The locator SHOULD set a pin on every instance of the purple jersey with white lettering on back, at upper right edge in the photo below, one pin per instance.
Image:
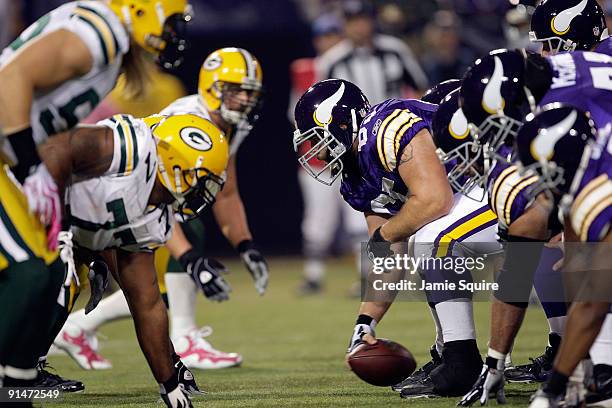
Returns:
(584, 80)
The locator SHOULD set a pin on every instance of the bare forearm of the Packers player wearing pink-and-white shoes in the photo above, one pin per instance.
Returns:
(231, 217)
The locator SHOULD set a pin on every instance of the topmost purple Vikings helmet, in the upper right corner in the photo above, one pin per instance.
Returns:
(568, 25)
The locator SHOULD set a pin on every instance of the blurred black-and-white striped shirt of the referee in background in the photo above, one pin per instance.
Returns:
(381, 71)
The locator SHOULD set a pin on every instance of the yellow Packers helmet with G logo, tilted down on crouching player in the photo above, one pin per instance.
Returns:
(192, 156)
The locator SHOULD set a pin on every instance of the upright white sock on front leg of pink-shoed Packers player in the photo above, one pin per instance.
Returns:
(182, 293)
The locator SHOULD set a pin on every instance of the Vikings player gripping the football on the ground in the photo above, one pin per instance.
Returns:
(393, 154)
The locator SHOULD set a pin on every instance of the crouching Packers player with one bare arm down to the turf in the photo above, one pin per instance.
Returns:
(160, 166)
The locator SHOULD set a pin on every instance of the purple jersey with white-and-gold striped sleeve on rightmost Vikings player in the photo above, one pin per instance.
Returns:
(590, 210)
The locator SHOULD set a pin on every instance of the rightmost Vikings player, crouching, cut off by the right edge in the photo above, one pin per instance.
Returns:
(559, 145)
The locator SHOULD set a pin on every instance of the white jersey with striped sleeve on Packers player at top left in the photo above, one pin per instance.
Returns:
(58, 109)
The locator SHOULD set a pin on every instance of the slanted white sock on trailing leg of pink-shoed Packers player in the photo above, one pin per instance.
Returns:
(112, 307)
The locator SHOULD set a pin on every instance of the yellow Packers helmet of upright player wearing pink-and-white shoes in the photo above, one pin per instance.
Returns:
(230, 82)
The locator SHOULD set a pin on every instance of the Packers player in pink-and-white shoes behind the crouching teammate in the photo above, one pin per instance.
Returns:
(229, 91)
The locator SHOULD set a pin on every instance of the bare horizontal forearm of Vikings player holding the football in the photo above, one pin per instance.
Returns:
(414, 214)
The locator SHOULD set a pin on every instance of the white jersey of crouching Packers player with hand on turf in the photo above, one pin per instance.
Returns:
(112, 211)
